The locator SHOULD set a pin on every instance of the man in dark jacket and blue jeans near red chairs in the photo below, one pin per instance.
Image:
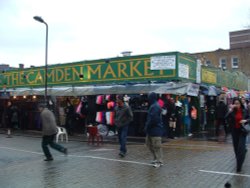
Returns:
(123, 117)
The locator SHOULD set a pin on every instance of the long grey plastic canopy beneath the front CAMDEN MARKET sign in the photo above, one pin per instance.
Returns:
(160, 88)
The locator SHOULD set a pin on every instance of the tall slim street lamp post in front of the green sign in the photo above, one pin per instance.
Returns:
(39, 19)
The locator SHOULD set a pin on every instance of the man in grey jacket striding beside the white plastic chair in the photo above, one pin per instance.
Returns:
(49, 130)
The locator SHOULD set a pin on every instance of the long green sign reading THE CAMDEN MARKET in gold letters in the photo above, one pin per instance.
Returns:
(106, 71)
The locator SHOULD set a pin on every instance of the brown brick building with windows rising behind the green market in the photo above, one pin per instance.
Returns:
(235, 58)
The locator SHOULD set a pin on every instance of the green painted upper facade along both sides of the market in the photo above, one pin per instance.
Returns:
(132, 69)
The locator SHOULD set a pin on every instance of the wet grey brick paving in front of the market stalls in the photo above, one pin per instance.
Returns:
(188, 162)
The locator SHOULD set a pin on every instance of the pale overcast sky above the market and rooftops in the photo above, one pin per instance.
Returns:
(95, 29)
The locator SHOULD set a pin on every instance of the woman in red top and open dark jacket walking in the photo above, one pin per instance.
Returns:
(236, 117)
